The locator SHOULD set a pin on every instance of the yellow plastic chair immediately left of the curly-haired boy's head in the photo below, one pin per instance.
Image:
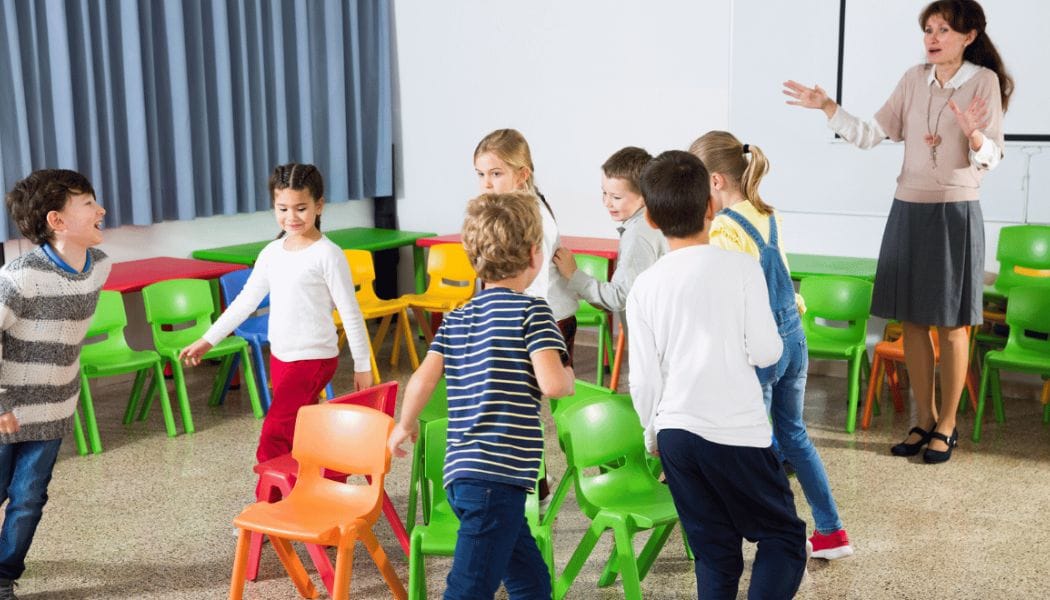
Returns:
(453, 283)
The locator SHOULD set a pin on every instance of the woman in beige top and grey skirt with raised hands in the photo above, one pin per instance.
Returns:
(949, 112)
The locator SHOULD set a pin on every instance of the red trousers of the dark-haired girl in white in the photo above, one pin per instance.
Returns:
(296, 385)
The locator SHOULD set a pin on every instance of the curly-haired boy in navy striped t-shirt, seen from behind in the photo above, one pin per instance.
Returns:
(495, 437)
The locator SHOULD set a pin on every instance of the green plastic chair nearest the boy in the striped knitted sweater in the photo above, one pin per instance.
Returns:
(111, 356)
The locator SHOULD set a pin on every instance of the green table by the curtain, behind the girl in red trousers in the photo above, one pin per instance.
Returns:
(352, 239)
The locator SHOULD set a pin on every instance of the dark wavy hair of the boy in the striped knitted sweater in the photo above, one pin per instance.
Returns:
(39, 194)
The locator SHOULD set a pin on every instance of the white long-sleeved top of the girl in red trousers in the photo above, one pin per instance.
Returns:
(304, 287)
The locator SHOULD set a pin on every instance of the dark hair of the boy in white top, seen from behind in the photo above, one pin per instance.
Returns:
(678, 191)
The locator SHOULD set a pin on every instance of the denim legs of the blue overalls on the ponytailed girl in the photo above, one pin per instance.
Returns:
(785, 399)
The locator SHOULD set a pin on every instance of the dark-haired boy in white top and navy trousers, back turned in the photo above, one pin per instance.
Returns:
(701, 323)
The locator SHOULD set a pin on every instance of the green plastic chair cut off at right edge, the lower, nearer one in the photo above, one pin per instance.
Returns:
(1027, 349)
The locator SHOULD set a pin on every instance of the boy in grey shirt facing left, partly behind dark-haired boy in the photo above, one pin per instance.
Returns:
(641, 245)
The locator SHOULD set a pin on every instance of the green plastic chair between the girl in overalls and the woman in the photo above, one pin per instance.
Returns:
(839, 299)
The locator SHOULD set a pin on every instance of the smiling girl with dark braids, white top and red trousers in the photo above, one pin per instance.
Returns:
(305, 274)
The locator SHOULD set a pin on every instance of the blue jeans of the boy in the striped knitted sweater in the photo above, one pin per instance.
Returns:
(26, 471)
